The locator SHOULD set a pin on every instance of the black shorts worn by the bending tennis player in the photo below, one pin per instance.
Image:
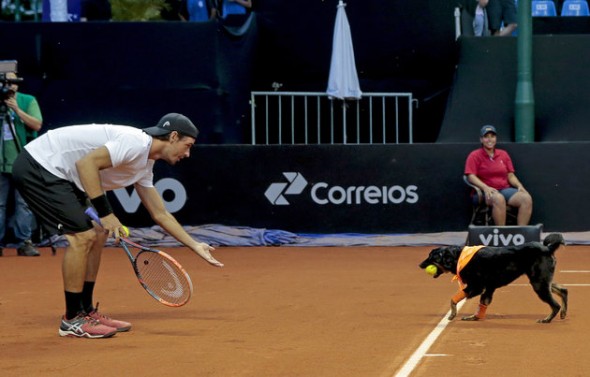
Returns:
(57, 204)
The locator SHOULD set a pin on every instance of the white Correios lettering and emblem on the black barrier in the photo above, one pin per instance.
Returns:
(323, 193)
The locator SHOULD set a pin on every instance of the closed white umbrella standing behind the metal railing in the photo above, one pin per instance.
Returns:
(343, 82)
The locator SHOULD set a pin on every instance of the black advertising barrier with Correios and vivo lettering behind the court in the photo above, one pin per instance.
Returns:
(354, 188)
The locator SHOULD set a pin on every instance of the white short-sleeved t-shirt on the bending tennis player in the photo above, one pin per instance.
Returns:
(58, 150)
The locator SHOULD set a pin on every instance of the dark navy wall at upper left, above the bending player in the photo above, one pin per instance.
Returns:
(133, 73)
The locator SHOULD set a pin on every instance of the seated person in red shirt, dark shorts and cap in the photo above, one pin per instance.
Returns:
(492, 171)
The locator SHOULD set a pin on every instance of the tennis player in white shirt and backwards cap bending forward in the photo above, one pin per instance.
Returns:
(62, 170)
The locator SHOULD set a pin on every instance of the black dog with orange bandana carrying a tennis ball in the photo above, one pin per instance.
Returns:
(490, 268)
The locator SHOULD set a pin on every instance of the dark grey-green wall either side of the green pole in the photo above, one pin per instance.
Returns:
(484, 89)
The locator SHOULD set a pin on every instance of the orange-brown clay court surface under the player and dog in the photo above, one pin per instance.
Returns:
(292, 311)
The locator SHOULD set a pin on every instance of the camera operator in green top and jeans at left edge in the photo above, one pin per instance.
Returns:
(22, 110)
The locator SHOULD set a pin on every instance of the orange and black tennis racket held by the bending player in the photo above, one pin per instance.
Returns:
(158, 273)
